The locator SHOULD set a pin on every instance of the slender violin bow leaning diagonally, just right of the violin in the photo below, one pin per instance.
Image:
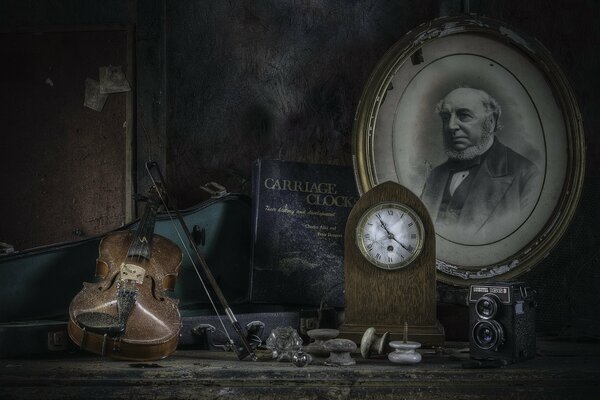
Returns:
(159, 182)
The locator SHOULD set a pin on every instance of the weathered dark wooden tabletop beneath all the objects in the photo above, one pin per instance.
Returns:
(561, 371)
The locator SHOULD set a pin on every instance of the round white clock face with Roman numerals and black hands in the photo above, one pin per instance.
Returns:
(390, 235)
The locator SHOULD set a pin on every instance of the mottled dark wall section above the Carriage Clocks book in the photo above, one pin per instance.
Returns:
(269, 79)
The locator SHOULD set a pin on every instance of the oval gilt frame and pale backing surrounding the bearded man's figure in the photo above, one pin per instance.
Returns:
(395, 132)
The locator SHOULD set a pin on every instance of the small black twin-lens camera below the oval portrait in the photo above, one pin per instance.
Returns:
(502, 322)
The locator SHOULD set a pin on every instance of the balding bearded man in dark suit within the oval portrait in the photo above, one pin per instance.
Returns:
(484, 187)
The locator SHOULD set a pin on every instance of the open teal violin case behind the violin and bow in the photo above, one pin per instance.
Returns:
(37, 286)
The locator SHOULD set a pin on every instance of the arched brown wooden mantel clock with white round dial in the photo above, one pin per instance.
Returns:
(389, 266)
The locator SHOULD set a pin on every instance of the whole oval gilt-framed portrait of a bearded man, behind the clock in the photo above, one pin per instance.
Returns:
(480, 122)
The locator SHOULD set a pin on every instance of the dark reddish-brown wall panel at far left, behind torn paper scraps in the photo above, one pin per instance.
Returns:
(62, 165)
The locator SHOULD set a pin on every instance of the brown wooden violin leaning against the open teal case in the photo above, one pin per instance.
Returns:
(126, 314)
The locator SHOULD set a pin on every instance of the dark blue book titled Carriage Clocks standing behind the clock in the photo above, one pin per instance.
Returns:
(299, 216)
